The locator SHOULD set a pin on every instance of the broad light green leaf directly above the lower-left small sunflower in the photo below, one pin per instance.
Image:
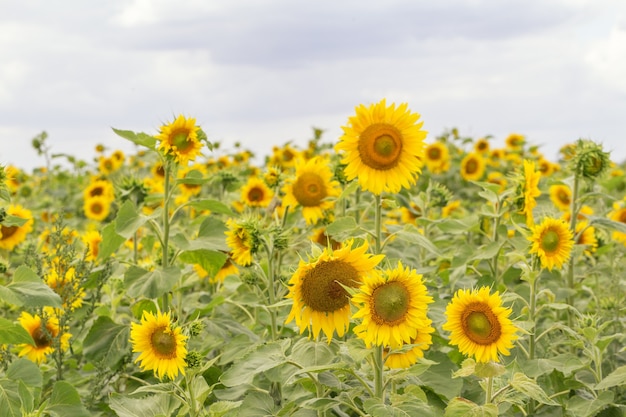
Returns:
(150, 284)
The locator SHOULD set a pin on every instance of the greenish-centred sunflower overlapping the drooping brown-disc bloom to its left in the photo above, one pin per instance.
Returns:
(393, 305)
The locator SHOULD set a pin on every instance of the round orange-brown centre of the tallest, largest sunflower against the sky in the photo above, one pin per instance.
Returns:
(380, 146)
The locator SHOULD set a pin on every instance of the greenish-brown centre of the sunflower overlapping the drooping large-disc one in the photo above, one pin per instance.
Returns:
(390, 302)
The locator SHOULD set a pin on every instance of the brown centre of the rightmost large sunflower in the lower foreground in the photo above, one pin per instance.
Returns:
(480, 325)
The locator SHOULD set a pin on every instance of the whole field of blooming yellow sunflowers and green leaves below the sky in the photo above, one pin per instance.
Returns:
(384, 273)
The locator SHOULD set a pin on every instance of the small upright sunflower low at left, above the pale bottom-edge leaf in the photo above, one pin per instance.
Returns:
(161, 346)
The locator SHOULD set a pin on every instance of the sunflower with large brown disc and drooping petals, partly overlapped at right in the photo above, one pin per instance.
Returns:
(320, 303)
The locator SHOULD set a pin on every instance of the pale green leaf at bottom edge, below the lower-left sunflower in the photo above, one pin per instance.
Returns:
(159, 405)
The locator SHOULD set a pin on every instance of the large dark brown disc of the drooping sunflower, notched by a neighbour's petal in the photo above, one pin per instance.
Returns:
(321, 286)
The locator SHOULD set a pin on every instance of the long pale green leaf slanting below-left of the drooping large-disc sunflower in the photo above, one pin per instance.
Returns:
(260, 359)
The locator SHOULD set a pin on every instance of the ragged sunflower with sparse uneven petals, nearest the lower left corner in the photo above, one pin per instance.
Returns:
(44, 333)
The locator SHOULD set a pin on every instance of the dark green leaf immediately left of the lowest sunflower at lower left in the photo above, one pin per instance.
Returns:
(107, 342)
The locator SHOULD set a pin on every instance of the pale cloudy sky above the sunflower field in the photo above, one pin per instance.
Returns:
(266, 72)
